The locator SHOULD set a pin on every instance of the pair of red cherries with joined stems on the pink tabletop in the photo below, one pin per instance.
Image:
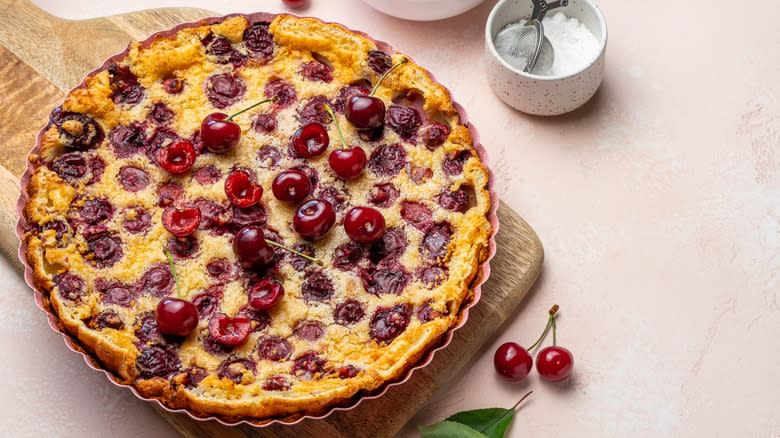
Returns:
(553, 363)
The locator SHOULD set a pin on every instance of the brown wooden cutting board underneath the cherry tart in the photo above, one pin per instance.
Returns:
(42, 57)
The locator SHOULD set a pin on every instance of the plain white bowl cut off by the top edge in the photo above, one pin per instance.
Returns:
(423, 10)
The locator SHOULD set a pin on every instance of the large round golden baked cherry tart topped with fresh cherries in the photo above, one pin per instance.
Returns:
(242, 221)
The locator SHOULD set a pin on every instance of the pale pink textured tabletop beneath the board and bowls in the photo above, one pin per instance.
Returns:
(658, 205)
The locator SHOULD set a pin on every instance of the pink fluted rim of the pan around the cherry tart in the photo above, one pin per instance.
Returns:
(72, 343)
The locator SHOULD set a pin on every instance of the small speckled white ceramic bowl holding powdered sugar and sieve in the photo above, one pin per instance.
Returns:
(544, 95)
